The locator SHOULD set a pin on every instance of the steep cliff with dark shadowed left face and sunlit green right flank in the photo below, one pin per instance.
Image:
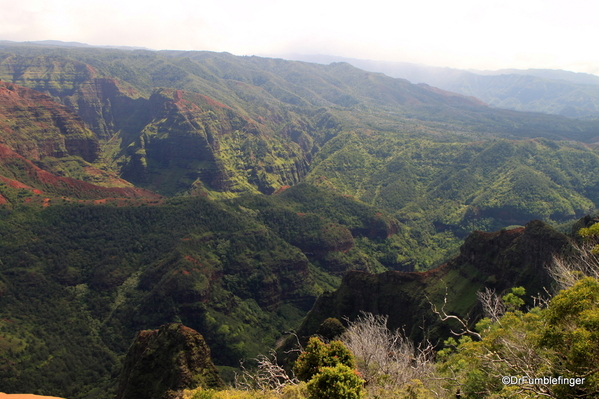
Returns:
(194, 143)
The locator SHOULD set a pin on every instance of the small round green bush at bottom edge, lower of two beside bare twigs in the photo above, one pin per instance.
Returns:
(339, 382)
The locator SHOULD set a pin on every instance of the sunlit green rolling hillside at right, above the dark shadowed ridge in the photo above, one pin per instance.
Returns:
(442, 191)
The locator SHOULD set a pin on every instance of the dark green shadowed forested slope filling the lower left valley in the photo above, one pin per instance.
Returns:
(78, 281)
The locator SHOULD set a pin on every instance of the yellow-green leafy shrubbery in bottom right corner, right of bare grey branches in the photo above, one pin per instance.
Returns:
(530, 348)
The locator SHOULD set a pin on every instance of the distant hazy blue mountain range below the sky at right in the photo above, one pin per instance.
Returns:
(570, 94)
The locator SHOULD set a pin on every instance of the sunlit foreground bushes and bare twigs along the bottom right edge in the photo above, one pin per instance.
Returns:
(544, 351)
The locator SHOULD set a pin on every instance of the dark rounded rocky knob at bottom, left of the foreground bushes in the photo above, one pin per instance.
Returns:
(163, 361)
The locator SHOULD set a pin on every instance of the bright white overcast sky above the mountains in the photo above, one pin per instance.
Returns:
(477, 34)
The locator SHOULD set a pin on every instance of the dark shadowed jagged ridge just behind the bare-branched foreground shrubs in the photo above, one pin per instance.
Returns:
(498, 261)
